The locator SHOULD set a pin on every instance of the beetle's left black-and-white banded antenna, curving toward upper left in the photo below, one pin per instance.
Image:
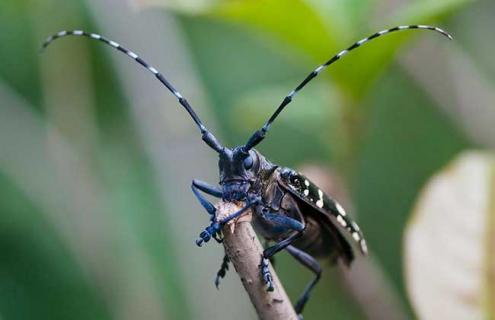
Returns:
(207, 136)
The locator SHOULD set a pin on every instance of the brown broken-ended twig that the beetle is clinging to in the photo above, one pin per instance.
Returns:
(244, 250)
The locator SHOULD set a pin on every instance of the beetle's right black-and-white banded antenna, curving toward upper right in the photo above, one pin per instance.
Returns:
(259, 135)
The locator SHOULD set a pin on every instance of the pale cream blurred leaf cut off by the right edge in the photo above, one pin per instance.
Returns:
(449, 242)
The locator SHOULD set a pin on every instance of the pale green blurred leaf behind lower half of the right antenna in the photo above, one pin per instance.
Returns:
(309, 119)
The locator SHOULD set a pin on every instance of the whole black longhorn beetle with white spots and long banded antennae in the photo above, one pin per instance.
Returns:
(287, 207)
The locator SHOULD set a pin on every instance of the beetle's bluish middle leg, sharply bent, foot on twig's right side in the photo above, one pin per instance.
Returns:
(284, 224)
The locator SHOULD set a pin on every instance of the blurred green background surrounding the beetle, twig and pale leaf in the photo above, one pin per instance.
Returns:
(97, 220)
